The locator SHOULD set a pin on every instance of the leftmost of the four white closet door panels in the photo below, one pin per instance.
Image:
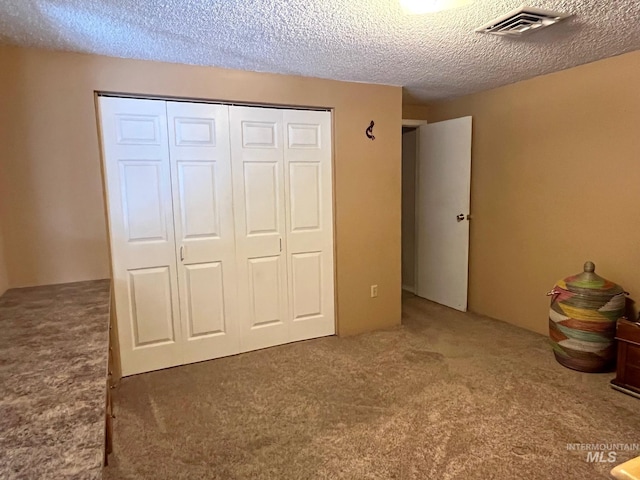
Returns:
(136, 153)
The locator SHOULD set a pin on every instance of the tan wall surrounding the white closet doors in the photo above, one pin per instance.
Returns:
(53, 208)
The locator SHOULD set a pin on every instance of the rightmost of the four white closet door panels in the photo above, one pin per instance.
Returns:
(307, 142)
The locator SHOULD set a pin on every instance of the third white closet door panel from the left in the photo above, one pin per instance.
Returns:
(258, 189)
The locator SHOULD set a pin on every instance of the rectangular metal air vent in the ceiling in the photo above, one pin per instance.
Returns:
(522, 21)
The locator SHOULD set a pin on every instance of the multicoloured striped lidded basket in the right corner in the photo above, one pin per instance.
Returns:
(582, 320)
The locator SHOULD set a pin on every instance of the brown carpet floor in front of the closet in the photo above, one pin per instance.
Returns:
(446, 395)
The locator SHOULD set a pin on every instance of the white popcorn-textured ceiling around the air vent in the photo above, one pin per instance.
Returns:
(434, 56)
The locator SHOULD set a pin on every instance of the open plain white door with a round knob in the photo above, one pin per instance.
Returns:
(442, 212)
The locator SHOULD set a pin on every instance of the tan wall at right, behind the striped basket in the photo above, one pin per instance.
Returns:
(555, 182)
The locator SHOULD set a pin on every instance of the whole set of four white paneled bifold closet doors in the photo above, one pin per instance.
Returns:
(221, 228)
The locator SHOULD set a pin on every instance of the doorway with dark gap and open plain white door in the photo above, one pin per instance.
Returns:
(436, 182)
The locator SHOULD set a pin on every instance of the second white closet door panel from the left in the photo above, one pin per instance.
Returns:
(203, 212)
